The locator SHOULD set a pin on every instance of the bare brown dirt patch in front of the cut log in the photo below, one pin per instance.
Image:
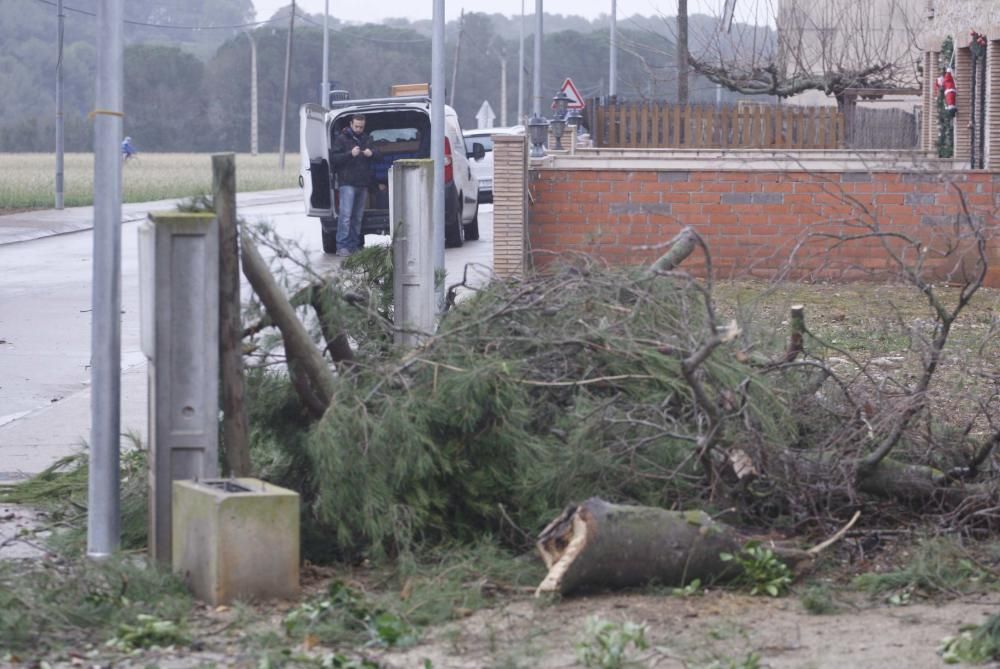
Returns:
(720, 627)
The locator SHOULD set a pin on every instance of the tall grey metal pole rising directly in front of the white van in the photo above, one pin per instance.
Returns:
(437, 140)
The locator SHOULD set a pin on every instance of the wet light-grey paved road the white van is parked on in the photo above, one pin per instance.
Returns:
(45, 298)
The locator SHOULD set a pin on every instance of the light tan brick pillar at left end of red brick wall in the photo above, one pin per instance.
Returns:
(510, 204)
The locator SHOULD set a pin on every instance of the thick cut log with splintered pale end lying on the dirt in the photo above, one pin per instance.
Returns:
(603, 545)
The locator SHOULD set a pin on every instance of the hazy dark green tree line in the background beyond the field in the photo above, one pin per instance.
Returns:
(189, 90)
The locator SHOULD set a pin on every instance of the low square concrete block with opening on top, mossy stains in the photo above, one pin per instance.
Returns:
(236, 539)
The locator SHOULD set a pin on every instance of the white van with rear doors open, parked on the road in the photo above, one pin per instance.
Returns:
(400, 127)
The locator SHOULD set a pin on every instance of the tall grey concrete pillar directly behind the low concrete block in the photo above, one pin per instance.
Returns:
(179, 305)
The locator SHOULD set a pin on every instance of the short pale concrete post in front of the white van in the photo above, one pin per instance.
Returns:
(411, 198)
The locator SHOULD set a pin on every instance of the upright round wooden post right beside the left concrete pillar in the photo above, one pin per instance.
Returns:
(235, 429)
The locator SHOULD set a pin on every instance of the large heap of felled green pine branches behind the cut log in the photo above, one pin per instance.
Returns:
(533, 393)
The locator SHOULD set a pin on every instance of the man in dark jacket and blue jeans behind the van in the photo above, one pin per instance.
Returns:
(352, 157)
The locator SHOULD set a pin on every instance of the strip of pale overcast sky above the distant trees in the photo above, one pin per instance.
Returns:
(376, 10)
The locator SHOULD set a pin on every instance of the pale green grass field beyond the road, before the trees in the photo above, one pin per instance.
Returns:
(28, 179)
